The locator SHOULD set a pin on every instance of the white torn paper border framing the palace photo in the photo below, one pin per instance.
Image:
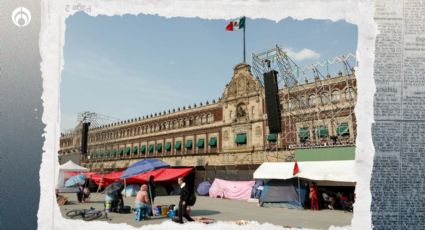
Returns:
(52, 40)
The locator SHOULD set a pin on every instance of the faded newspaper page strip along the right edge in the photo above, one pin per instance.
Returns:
(397, 183)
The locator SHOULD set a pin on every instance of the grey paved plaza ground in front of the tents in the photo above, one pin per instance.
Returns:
(224, 210)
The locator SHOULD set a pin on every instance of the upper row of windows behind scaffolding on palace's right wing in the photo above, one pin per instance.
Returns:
(325, 98)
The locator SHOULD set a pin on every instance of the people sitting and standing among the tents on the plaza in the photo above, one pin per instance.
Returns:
(316, 198)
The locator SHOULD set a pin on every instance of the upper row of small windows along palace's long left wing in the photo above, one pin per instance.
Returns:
(152, 128)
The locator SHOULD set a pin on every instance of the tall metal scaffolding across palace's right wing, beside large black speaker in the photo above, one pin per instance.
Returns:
(310, 98)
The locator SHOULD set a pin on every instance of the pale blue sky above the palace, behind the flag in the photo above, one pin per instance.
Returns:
(129, 66)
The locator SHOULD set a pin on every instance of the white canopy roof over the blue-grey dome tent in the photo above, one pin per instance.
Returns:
(338, 171)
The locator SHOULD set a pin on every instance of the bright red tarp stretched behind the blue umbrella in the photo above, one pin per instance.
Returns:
(160, 175)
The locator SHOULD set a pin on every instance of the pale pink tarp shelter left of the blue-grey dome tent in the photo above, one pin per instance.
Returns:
(235, 190)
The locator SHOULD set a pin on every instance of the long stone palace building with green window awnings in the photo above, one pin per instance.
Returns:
(229, 133)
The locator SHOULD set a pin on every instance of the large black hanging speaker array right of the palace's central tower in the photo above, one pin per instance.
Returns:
(272, 101)
